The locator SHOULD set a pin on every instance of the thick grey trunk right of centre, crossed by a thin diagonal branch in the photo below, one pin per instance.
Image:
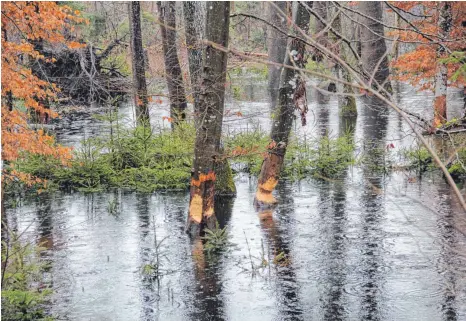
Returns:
(373, 47)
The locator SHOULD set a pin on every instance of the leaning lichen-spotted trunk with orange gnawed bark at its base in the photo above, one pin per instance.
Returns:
(292, 94)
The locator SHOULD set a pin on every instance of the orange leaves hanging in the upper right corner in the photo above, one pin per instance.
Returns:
(418, 66)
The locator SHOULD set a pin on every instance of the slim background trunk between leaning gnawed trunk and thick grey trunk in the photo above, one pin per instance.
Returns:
(346, 104)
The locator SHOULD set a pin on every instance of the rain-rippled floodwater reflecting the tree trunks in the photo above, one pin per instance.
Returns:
(368, 247)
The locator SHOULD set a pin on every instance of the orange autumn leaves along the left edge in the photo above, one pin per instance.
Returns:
(24, 23)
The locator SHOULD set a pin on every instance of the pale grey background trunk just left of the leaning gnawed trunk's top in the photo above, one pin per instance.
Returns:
(276, 44)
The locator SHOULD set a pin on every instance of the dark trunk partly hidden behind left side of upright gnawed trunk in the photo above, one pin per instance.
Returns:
(194, 33)
